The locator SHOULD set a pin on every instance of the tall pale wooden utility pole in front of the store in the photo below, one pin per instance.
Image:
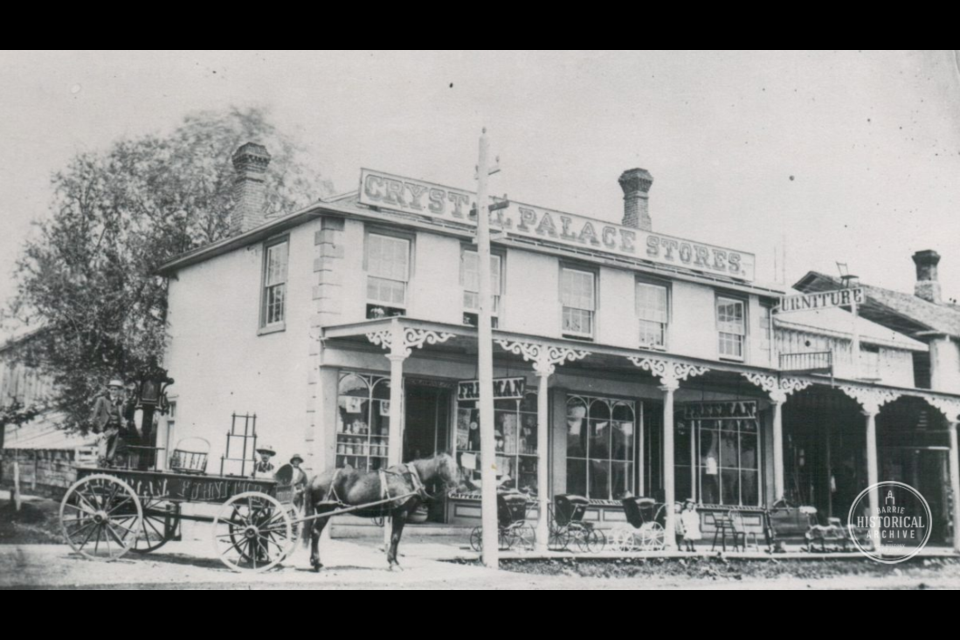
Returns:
(488, 454)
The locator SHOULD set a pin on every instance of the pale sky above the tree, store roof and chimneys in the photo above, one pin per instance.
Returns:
(849, 156)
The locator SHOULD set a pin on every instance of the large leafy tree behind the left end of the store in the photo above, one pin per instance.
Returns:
(89, 273)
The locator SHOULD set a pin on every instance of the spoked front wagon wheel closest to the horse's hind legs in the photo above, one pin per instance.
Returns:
(253, 532)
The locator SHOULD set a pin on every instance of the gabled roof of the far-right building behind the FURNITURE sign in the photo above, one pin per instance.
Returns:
(901, 312)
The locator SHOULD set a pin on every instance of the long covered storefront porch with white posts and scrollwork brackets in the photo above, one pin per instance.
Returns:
(589, 419)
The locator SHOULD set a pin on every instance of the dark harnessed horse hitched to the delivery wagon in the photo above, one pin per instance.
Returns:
(346, 487)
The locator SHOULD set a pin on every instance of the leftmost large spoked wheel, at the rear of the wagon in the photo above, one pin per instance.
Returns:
(100, 517)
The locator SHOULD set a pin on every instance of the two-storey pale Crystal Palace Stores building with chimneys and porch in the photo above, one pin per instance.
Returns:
(338, 322)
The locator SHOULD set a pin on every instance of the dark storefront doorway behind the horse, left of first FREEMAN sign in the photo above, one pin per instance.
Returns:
(427, 430)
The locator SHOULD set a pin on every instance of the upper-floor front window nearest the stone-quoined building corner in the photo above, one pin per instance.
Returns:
(388, 273)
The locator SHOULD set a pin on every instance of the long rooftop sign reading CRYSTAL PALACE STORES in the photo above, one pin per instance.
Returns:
(417, 197)
